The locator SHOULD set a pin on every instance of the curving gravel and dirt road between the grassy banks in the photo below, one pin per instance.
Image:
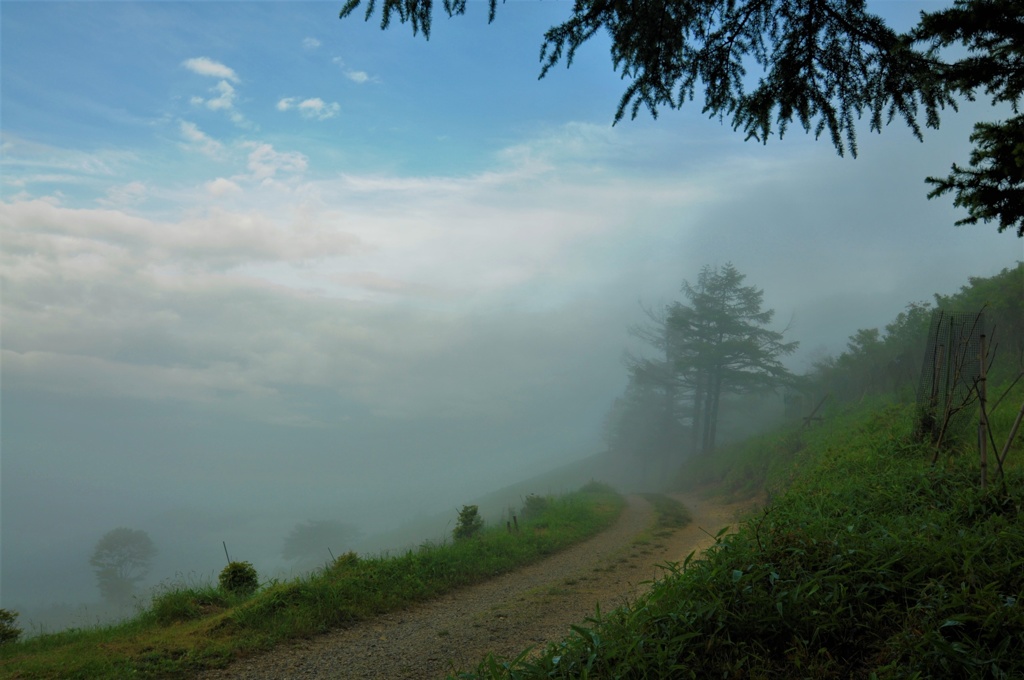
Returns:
(505, 616)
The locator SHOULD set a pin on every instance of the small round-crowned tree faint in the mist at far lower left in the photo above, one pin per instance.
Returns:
(122, 560)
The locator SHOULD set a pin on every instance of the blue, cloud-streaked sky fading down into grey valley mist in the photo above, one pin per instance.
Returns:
(262, 266)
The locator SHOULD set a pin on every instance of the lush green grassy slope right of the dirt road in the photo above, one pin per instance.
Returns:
(873, 565)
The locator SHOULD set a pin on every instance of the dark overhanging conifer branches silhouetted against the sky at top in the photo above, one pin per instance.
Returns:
(823, 66)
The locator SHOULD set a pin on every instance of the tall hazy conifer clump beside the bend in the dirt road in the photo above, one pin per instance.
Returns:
(717, 345)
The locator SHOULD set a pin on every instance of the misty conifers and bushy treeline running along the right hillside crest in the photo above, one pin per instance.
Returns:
(716, 367)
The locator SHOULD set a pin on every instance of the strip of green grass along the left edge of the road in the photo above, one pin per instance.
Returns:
(187, 629)
